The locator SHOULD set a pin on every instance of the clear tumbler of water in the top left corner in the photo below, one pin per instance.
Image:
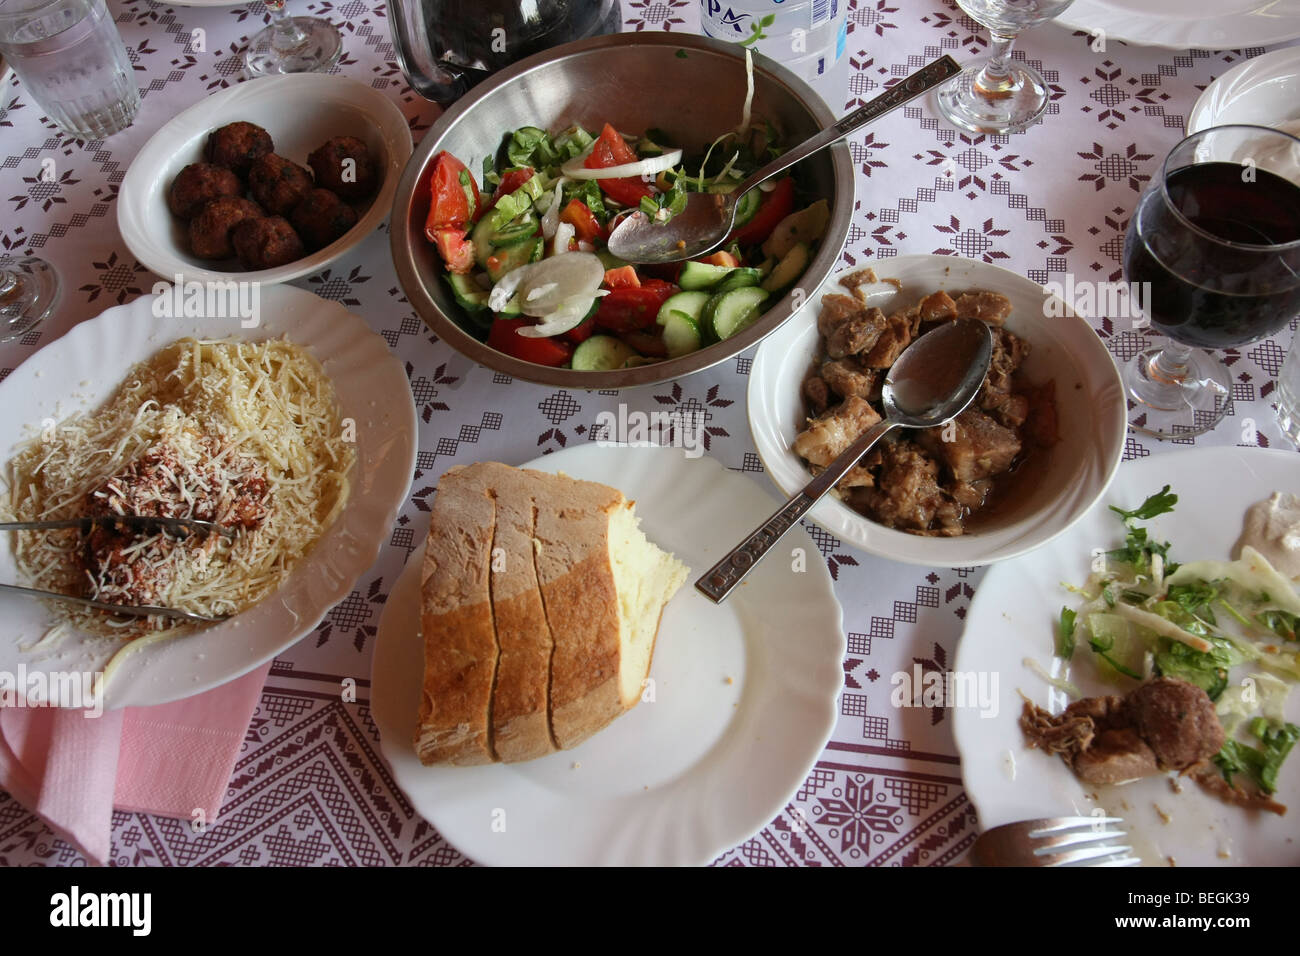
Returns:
(71, 59)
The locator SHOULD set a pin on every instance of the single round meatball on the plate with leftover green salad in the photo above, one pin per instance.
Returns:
(1178, 721)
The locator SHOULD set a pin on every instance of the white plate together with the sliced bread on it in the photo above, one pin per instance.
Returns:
(532, 630)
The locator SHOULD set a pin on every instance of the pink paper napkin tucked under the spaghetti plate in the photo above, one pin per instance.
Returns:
(170, 760)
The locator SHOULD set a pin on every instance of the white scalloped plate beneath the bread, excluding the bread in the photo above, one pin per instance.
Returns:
(675, 781)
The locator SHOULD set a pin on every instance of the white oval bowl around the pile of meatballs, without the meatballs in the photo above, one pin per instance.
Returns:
(301, 113)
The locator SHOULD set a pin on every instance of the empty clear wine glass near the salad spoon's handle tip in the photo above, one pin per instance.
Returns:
(999, 96)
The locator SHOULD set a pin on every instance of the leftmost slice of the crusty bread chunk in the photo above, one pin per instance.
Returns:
(460, 635)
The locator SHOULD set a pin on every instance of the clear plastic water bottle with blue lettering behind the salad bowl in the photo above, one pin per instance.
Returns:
(808, 37)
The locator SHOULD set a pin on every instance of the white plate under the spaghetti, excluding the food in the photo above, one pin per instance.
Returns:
(84, 367)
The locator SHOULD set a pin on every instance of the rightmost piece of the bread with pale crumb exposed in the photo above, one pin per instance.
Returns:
(604, 589)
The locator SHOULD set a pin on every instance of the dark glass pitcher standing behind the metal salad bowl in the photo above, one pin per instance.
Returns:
(448, 46)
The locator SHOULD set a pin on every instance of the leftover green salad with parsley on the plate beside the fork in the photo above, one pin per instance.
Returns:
(1146, 616)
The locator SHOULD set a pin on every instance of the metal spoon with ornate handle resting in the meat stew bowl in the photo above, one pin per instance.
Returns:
(933, 382)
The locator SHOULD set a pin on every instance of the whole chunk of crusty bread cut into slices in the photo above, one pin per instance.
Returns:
(541, 604)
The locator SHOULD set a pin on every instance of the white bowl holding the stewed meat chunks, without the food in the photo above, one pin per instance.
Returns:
(1090, 401)
